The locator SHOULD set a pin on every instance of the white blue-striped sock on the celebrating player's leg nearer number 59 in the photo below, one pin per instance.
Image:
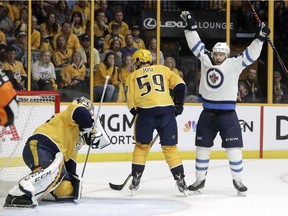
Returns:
(202, 162)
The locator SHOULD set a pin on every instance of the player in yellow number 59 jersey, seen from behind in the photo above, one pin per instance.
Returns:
(149, 100)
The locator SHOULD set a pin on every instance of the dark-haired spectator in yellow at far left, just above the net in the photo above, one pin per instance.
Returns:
(16, 67)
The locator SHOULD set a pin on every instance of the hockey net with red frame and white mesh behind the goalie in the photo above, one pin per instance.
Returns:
(35, 107)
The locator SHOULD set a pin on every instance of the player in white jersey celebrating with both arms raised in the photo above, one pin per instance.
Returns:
(218, 92)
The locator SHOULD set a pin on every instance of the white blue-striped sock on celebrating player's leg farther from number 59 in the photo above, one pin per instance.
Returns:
(235, 162)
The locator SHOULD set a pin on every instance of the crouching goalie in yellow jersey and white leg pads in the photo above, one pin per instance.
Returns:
(51, 153)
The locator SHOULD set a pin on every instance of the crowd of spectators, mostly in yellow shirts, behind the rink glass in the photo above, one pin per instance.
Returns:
(60, 45)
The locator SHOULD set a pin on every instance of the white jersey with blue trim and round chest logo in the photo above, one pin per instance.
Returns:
(219, 83)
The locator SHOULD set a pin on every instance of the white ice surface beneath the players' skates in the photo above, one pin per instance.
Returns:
(266, 179)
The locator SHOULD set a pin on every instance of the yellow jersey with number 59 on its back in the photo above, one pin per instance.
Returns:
(149, 87)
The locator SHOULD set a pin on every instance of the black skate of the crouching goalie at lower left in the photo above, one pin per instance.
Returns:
(19, 201)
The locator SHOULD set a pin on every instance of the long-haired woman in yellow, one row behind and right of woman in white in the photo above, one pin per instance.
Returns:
(61, 55)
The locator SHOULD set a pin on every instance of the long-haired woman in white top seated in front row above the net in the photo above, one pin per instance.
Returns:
(43, 73)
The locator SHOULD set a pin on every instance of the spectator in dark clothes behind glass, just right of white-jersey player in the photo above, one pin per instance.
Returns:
(253, 86)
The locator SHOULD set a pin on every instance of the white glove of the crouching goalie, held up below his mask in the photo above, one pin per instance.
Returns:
(96, 136)
